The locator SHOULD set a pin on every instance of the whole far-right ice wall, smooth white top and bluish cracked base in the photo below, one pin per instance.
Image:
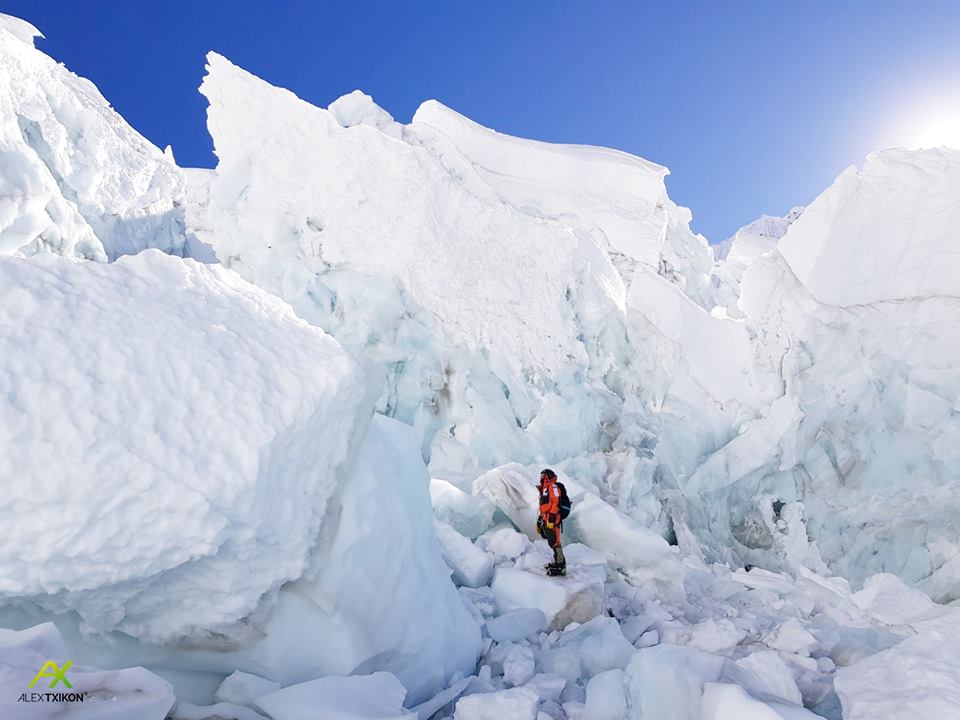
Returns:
(855, 316)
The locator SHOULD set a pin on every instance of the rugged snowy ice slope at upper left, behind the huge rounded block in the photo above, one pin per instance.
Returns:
(75, 178)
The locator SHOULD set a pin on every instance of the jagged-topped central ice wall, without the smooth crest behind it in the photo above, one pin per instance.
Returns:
(497, 330)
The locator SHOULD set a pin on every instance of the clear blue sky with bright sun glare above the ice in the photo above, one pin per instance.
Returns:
(754, 106)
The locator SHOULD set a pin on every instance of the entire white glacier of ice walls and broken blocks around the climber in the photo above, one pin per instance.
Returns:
(274, 427)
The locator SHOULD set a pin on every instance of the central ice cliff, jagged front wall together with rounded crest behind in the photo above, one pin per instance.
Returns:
(488, 274)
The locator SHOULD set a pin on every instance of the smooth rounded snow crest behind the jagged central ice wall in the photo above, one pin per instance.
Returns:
(616, 199)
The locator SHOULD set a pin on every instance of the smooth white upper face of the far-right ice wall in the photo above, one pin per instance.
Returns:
(885, 233)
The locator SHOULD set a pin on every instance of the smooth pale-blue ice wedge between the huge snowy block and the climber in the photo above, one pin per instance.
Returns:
(376, 596)
